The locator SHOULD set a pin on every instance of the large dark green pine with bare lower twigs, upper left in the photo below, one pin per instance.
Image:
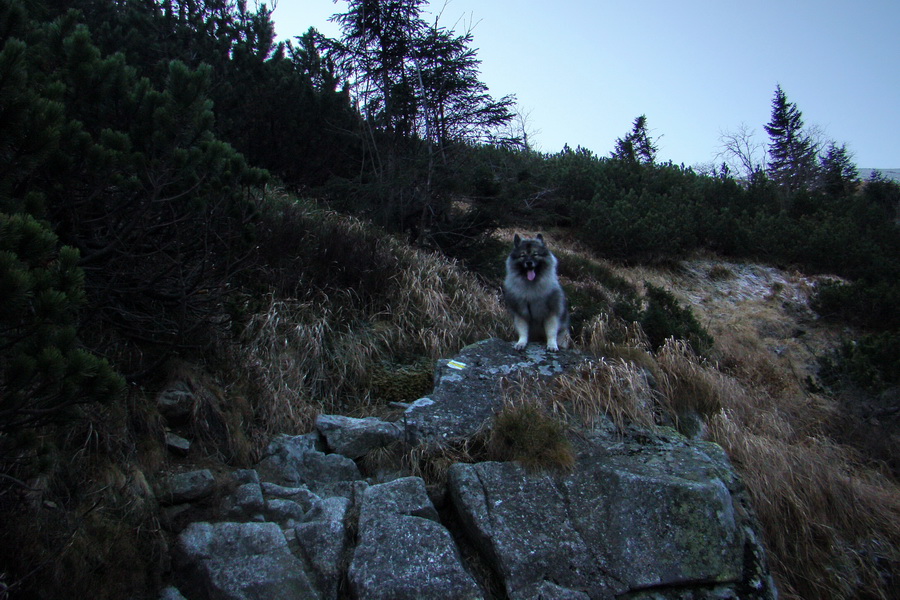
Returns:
(129, 172)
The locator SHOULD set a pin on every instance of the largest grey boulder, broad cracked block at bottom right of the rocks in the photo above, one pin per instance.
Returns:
(629, 517)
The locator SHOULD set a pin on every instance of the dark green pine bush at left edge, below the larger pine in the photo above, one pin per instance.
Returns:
(44, 373)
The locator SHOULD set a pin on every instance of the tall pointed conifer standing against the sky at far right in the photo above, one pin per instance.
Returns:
(792, 155)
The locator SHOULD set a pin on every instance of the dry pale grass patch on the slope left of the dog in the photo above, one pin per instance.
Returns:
(318, 352)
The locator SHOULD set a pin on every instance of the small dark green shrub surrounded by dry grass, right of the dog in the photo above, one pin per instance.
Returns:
(664, 317)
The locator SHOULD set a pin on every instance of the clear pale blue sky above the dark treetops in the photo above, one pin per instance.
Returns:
(584, 69)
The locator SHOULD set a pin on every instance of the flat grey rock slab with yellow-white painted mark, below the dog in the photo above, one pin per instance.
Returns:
(466, 389)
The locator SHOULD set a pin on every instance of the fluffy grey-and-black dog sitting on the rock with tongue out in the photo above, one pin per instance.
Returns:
(533, 296)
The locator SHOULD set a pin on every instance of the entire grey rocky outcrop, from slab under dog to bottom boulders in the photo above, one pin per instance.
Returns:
(642, 514)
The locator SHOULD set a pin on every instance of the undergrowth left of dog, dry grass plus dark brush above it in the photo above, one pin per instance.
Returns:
(346, 302)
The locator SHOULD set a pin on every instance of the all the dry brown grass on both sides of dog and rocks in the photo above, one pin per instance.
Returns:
(832, 526)
